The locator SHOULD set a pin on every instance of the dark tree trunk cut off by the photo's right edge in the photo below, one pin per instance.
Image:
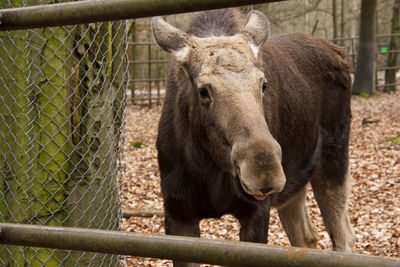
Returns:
(393, 57)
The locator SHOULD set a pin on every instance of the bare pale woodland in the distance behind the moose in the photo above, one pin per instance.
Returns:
(334, 20)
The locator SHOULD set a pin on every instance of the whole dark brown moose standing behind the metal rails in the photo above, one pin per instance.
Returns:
(305, 124)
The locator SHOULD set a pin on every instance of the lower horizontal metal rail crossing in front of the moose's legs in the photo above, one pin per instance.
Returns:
(189, 249)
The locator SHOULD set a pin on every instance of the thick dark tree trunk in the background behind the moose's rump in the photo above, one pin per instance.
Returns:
(364, 80)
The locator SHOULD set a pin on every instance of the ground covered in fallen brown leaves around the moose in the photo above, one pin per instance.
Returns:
(374, 205)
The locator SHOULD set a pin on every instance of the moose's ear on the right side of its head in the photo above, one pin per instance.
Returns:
(256, 28)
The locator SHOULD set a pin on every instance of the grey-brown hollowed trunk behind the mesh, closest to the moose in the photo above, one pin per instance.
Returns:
(96, 126)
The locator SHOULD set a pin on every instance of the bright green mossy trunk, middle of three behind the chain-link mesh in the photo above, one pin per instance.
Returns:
(53, 132)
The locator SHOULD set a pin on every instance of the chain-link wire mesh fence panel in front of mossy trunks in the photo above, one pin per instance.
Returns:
(62, 101)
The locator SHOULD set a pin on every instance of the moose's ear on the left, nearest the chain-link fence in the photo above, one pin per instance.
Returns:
(170, 39)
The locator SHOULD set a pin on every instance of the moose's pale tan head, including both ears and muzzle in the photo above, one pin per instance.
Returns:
(225, 67)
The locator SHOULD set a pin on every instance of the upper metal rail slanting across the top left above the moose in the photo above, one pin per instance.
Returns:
(70, 13)
